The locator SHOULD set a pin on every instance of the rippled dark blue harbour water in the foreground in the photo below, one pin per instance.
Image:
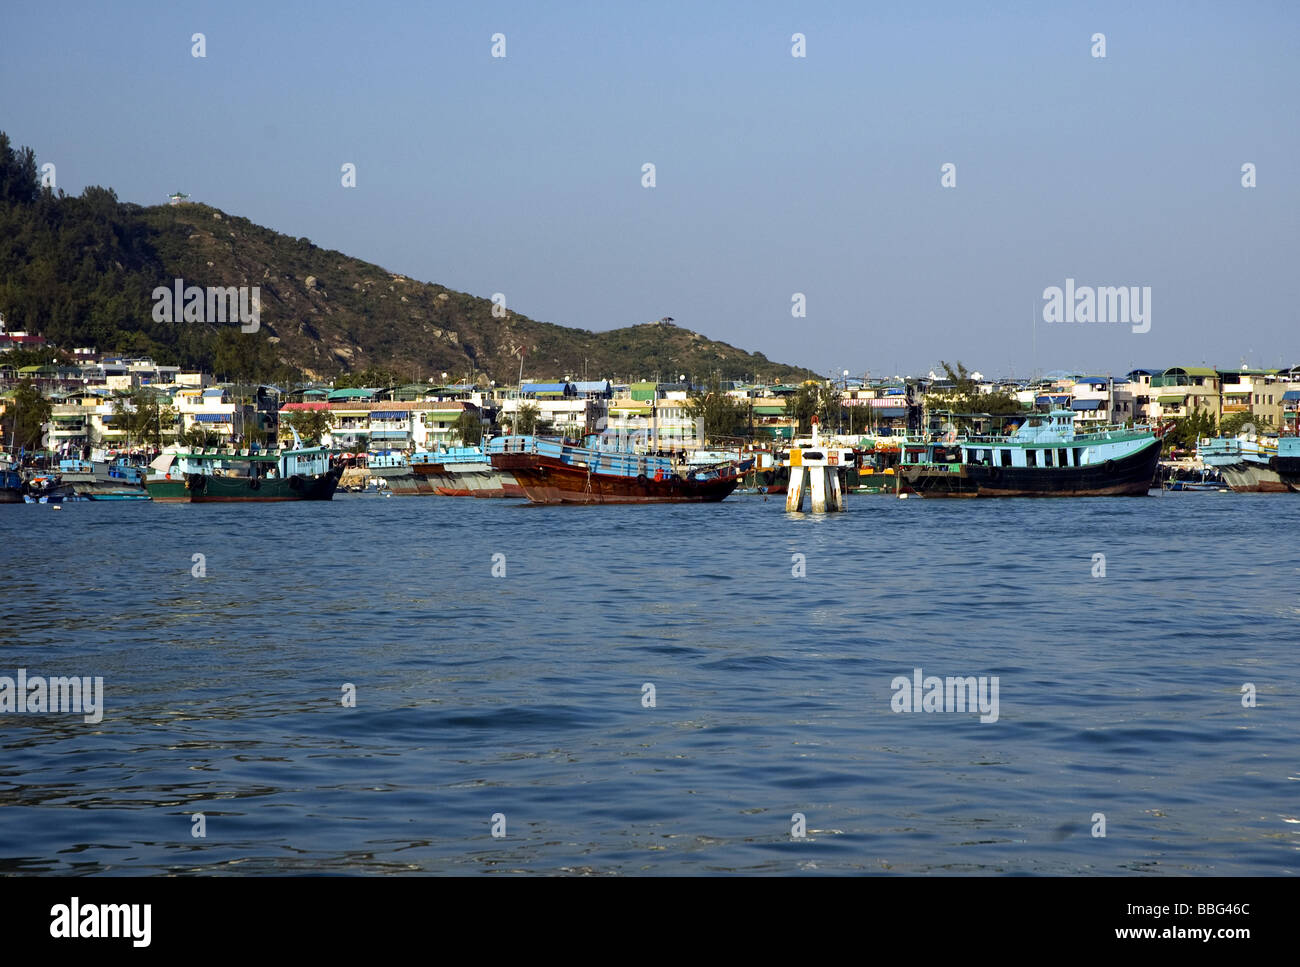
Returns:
(522, 696)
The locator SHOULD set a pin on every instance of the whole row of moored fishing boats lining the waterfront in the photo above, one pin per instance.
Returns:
(1046, 456)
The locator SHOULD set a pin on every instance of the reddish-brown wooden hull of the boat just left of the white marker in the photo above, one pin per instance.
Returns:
(551, 482)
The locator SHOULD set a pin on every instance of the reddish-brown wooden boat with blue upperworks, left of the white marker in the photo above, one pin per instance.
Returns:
(556, 472)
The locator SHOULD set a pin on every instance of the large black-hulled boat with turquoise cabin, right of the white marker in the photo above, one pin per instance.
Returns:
(1045, 457)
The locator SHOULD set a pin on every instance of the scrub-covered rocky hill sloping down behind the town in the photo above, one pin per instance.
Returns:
(83, 270)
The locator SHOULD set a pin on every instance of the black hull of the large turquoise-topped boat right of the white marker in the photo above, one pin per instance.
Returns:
(1129, 476)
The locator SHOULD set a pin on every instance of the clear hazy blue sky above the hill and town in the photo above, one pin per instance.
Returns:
(774, 175)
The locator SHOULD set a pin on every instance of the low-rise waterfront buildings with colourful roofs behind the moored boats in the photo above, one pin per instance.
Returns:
(92, 397)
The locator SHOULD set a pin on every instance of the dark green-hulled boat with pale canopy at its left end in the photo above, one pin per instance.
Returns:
(244, 476)
